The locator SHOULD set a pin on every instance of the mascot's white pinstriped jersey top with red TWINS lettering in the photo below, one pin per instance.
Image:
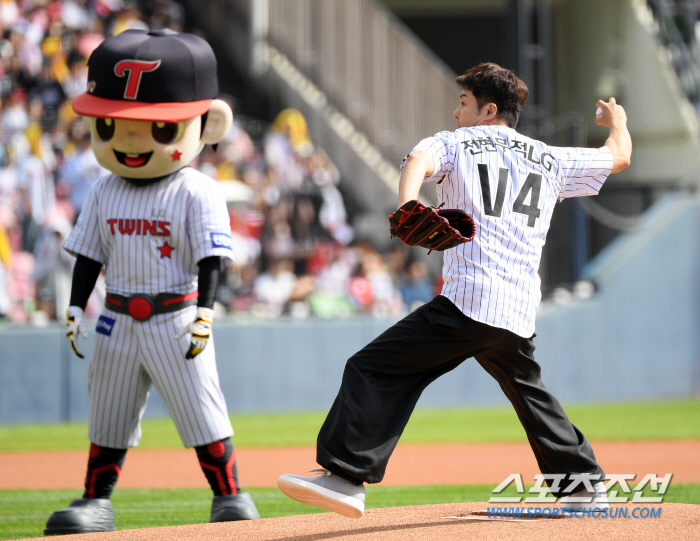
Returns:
(150, 238)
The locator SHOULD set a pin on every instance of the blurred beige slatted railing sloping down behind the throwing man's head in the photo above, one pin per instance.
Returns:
(393, 88)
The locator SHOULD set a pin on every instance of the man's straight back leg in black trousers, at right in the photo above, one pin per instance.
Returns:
(559, 447)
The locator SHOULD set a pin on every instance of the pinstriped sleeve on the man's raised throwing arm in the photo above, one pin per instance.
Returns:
(582, 171)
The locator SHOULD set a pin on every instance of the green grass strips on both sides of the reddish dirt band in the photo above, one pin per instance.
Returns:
(23, 513)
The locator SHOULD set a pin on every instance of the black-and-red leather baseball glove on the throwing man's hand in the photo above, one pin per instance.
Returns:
(430, 227)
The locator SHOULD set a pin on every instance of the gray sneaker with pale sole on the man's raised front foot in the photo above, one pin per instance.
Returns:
(327, 491)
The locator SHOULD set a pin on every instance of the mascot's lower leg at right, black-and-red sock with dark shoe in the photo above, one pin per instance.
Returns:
(218, 462)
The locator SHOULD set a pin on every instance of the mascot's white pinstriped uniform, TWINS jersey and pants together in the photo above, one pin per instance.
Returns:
(150, 239)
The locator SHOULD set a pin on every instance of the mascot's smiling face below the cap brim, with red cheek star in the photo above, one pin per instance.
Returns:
(143, 149)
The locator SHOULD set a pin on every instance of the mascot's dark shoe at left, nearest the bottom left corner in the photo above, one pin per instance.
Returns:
(82, 516)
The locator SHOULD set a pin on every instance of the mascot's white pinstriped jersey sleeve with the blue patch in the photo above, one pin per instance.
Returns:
(210, 229)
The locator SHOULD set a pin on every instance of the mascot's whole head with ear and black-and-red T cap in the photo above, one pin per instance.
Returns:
(145, 97)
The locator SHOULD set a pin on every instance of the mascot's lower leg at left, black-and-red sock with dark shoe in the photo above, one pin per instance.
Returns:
(93, 512)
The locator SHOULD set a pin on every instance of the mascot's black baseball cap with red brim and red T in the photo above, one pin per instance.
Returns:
(156, 75)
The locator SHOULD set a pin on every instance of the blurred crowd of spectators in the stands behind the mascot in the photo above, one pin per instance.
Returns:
(295, 252)
